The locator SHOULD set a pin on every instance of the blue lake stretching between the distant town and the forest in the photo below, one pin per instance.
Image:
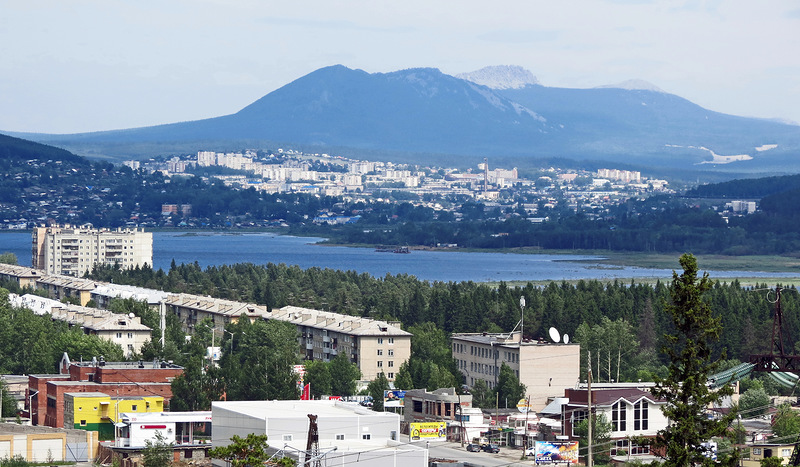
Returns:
(213, 249)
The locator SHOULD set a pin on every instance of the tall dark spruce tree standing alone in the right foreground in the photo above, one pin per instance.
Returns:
(685, 388)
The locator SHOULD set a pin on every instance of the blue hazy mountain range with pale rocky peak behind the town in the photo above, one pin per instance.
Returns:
(498, 112)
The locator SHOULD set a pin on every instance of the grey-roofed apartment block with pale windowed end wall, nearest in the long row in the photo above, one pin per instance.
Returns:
(375, 346)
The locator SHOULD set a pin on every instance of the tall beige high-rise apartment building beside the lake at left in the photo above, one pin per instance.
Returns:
(73, 251)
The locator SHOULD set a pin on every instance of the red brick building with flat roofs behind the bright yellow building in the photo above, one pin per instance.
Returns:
(120, 379)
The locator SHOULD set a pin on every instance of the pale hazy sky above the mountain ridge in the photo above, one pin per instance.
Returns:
(86, 65)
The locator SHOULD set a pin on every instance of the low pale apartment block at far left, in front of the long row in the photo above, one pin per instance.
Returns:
(127, 331)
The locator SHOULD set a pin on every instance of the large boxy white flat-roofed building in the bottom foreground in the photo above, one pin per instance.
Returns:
(348, 433)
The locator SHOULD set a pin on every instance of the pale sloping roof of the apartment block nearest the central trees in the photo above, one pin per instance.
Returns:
(336, 322)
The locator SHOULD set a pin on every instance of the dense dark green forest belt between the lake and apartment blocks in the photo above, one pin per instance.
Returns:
(625, 318)
